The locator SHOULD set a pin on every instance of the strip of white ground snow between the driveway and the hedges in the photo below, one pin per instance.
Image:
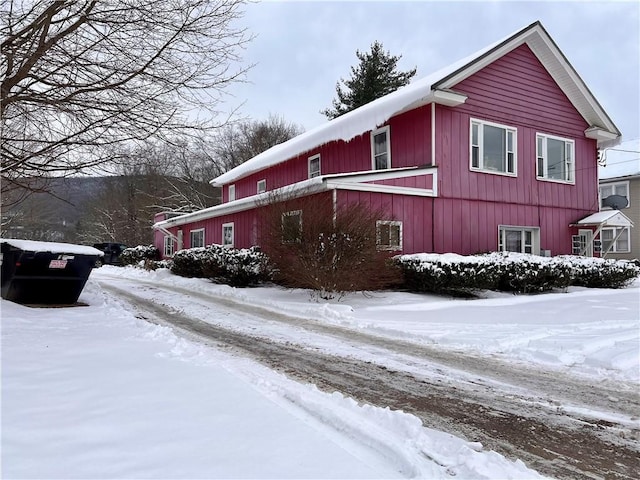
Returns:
(593, 332)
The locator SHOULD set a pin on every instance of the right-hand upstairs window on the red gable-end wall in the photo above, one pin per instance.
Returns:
(555, 158)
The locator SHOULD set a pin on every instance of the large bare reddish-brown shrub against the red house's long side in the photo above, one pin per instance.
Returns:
(328, 249)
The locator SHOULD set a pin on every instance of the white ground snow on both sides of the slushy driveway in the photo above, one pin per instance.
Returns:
(93, 392)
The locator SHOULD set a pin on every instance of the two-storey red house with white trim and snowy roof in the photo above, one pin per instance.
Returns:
(495, 152)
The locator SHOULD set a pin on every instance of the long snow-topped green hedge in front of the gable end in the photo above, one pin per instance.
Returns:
(510, 272)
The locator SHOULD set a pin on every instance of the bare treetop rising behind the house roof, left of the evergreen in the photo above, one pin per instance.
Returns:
(238, 142)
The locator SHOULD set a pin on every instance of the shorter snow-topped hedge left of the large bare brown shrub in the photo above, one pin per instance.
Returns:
(235, 267)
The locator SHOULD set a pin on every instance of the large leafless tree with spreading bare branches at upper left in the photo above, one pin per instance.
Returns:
(82, 77)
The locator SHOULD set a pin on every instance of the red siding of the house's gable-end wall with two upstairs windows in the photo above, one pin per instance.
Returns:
(515, 91)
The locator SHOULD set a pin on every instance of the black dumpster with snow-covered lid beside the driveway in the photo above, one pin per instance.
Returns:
(44, 272)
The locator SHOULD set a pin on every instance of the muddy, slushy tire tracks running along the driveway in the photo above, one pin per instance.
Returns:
(546, 439)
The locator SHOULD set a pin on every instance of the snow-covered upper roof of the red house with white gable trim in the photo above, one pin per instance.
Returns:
(435, 88)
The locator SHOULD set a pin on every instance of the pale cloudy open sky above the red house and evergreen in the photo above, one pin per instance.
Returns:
(303, 48)
